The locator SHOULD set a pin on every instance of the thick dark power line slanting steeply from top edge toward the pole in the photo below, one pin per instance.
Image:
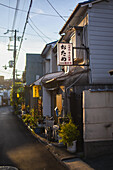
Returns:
(25, 27)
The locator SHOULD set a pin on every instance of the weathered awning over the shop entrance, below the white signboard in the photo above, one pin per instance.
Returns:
(53, 80)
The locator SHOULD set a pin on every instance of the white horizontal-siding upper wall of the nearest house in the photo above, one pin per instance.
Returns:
(101, 41)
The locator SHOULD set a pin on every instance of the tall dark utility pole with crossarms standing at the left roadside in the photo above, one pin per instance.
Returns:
(14, 56)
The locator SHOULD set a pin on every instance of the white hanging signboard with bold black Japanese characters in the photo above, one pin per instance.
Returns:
(64, 54)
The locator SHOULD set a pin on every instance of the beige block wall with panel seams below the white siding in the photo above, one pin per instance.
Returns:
(97, 116)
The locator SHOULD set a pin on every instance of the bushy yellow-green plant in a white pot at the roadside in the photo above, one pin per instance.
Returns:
(69, 134)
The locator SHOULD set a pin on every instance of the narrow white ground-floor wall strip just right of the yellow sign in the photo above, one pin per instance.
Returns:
(46, 103)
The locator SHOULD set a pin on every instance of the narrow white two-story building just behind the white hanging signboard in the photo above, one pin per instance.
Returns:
(50, 71)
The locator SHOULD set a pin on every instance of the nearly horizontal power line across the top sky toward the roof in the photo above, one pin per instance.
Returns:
(50, 15)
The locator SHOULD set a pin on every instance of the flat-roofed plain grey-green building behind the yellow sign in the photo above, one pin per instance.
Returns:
(34, 71)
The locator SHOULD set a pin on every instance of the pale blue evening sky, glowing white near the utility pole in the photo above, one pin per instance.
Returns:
(43, 27)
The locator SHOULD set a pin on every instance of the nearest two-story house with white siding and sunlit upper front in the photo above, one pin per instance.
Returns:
(90, 30)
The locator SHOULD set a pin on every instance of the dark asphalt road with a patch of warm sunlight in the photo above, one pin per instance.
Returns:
(20, 149)
